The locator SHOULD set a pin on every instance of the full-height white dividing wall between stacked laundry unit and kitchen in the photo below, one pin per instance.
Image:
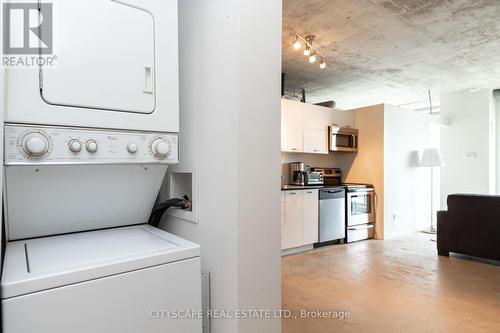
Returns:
(230, 54)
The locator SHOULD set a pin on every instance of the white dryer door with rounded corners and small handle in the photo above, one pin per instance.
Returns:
(105, 57)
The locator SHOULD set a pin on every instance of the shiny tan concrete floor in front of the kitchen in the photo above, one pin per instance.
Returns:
(398, 285)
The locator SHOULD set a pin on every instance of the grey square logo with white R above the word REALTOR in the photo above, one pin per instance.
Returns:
(27, 28)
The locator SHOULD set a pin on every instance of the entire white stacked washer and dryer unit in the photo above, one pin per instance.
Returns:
(87, 144)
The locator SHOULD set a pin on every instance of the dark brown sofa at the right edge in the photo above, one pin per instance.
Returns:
(471, 226)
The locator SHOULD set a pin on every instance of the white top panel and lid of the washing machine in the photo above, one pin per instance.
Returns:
(44, 263)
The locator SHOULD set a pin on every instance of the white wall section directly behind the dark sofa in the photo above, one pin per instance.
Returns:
(467, 144)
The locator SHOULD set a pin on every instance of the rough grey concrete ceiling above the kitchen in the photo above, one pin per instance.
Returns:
(392, 51)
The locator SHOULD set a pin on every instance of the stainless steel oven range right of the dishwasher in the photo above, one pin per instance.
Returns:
(360, 212)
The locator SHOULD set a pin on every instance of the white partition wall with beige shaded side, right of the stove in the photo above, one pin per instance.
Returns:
(390, 139)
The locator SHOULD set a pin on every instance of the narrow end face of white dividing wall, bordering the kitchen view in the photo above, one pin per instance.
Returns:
(259, 218)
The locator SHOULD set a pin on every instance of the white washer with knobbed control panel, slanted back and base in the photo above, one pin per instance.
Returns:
(79, 256)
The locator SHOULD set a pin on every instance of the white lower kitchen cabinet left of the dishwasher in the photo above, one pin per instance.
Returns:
(299, 220)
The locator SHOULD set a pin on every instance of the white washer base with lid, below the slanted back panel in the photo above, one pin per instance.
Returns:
(114, 281)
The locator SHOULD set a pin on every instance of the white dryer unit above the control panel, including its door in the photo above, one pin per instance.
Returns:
(116, 66)
